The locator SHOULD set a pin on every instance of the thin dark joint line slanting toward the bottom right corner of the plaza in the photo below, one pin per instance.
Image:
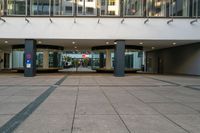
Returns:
(159, 112)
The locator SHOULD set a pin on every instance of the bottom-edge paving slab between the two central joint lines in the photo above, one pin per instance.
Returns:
(98, 124)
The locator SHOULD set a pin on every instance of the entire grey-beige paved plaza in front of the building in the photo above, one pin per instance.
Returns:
(99, 103)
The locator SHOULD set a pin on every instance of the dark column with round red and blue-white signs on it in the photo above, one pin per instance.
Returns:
(30, 58)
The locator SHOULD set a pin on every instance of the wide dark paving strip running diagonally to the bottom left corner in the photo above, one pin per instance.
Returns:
(16, 120)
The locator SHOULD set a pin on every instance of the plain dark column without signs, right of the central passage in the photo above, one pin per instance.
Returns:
(119, 64)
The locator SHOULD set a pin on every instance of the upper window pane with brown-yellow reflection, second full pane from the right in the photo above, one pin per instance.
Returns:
(156, 8)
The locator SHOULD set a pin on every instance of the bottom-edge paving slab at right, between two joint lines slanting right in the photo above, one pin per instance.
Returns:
(150, 124)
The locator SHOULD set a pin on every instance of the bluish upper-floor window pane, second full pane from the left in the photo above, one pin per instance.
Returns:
(40, 7)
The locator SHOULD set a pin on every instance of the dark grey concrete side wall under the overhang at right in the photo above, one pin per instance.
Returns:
(177, 60)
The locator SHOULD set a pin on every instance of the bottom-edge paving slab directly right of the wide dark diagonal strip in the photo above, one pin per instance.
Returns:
(44, 123)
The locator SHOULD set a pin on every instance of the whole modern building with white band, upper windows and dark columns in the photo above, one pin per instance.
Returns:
(161, 35)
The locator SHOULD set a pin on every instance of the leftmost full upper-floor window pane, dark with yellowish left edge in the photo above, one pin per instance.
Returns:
(16, 7)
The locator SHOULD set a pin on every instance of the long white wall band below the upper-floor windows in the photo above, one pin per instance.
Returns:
(109, 28)
